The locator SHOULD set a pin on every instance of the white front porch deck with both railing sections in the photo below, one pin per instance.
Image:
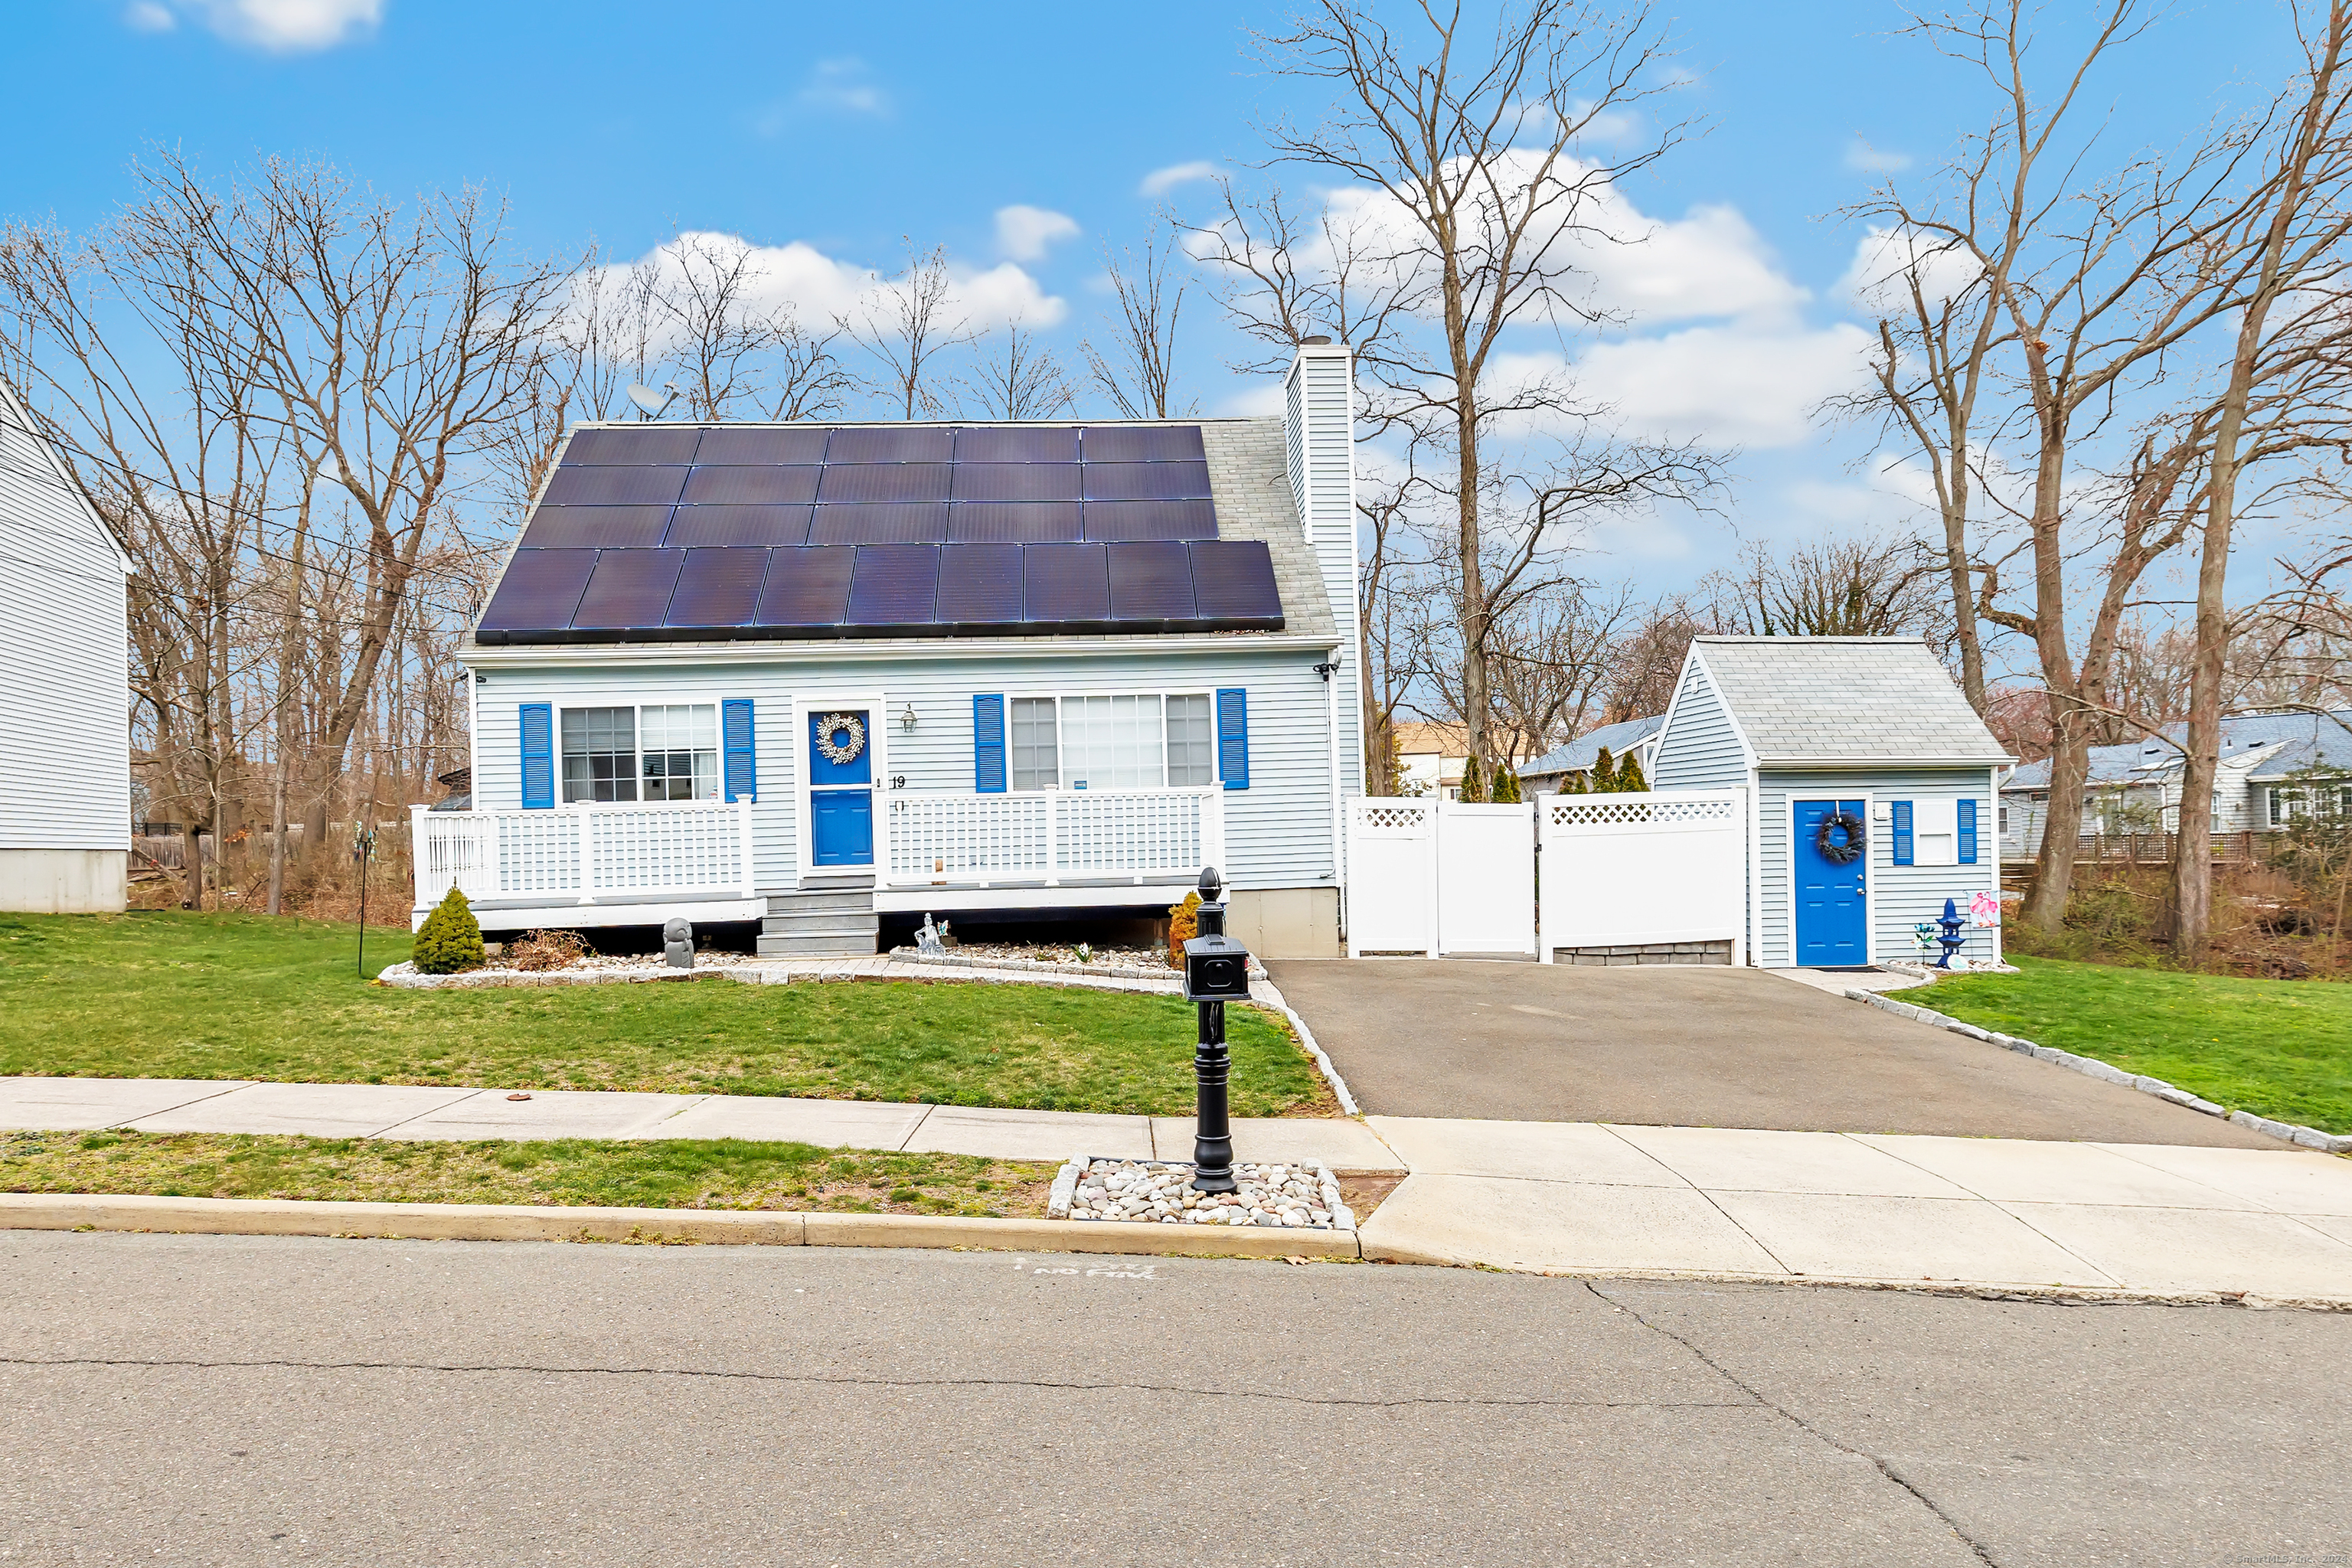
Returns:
(646, 864)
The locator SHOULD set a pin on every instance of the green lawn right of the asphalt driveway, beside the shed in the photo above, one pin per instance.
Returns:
(2273, 1047)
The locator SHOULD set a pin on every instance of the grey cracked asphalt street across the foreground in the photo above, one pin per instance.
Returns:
(215, 1400)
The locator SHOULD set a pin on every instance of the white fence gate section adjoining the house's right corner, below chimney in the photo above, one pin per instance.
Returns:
(1436, 878)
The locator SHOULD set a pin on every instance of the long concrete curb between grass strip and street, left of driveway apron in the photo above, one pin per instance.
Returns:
(707, 1226)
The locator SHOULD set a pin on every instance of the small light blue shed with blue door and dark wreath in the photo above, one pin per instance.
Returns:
(1871, 791)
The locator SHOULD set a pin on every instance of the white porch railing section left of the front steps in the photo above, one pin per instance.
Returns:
(582, 855)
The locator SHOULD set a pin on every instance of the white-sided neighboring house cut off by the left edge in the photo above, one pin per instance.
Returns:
(65, 685)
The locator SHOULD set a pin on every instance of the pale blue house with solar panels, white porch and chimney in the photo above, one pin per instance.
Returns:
(810, 676)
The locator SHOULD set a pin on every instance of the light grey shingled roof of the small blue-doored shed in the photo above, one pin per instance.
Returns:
(1845, 699)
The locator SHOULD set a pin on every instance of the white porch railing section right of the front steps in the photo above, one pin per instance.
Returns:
(1050, 838)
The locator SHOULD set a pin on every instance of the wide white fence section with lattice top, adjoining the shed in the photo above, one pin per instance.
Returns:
(1629, 871)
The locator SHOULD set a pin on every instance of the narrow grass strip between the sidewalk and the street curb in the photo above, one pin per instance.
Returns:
(669, 1174)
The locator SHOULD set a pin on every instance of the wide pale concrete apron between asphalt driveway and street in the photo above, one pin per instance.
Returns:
(1869, 1207)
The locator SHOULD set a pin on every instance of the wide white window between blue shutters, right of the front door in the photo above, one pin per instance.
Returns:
(1144, 742)
